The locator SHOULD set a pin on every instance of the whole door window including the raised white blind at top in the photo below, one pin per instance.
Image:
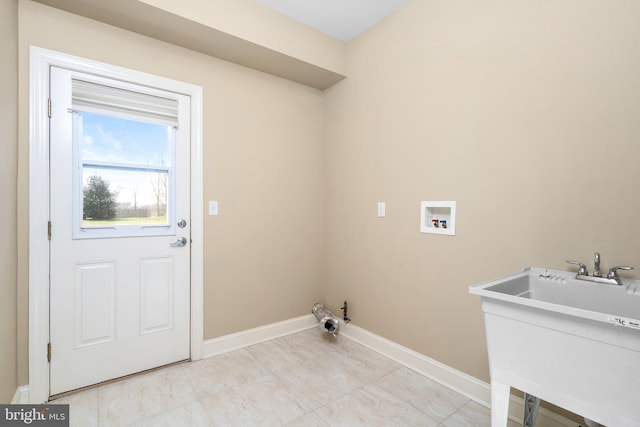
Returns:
(124, 145)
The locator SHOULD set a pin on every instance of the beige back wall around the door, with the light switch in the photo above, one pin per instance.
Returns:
(262, 162)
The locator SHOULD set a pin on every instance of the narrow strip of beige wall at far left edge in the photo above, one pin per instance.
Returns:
(8, 177)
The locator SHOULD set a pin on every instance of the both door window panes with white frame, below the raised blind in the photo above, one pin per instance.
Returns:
(124, 176)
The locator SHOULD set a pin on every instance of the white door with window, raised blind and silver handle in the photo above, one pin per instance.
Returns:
(120, 229)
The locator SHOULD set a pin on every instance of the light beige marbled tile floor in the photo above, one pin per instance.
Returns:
(305, 379)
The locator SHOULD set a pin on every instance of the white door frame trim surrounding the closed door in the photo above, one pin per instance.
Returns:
(40, 62)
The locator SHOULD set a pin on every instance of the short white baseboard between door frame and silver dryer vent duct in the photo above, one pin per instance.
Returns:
(257, 335)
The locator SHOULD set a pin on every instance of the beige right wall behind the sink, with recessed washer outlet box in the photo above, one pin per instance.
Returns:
(525, 113)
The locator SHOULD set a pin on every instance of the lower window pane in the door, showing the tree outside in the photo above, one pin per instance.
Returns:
(116, 196)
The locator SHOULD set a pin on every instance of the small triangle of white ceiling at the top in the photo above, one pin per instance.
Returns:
(342, 19)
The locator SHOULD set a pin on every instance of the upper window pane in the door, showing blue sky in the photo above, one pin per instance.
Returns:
(116, 140)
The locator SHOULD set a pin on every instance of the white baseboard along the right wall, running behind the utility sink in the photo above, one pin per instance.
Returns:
(471, 387)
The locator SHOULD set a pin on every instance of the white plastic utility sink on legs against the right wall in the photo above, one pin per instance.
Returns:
(570, 342)
